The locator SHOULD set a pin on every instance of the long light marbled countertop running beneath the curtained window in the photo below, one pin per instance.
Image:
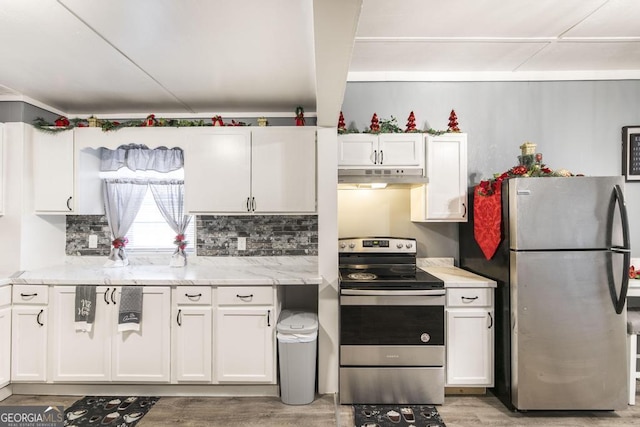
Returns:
(229, 271)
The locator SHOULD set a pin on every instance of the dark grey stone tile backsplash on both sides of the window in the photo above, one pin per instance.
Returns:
(267, 235)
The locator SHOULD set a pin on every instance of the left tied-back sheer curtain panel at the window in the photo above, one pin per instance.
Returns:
(122, 201)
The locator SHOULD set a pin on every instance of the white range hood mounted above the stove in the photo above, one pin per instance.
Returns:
(395, 177)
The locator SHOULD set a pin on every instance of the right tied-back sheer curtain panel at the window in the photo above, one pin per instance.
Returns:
(169, 197)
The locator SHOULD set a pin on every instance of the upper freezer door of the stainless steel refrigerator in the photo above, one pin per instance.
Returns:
(563, 213)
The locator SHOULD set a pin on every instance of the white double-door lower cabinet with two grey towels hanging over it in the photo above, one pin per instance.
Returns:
(105, 354)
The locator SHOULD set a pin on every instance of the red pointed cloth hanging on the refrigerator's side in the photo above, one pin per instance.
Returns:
(487, 220)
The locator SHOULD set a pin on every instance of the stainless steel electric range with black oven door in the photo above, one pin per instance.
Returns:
(391, 324)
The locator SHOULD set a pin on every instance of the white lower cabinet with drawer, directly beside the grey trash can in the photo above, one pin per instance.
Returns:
(245, 327)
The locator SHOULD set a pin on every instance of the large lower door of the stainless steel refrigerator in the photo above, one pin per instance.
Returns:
(568, 343)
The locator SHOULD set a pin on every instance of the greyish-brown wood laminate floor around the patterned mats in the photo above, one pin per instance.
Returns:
(457, 411)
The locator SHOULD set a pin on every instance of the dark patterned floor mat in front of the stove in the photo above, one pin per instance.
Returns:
(397, 415)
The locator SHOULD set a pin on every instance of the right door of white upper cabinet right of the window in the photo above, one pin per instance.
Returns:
(284, 170)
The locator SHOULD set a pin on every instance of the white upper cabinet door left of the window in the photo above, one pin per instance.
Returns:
(53, 168)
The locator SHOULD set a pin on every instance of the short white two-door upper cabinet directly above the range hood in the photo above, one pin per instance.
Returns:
(380, 151)
